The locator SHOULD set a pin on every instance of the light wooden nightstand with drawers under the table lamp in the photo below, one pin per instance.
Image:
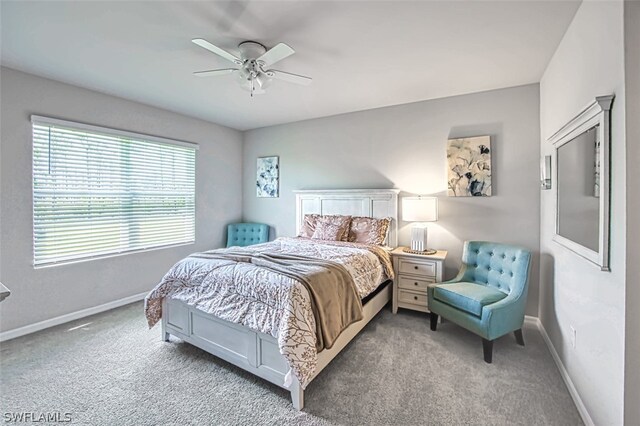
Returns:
(413, 273)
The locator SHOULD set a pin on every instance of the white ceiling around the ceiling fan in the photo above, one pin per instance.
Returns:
(361, 54)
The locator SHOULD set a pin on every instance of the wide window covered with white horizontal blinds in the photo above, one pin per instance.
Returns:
(99, 192)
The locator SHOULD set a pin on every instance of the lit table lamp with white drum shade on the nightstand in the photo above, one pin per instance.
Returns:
(419, 210)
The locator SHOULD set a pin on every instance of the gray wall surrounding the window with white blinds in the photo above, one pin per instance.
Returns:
(42, 294)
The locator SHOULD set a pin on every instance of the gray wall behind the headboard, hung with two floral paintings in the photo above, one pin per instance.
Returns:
(404, 147)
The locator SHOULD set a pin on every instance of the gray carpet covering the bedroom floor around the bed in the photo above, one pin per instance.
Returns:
(114, 371)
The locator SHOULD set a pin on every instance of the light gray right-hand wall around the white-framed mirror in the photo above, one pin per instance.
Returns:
(589, 62)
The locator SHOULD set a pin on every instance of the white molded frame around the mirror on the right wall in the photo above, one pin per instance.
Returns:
(597, 113)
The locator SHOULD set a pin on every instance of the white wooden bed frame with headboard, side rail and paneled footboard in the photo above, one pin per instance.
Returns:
(256, 352)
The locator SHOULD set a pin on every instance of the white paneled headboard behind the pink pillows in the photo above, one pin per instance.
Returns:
(378, 203)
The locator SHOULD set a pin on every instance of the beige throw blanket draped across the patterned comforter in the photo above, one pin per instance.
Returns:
(334, 298)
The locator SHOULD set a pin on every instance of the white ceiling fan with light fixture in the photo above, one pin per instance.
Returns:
(253, 65)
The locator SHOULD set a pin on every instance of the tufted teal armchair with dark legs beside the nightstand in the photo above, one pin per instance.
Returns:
(489, 295)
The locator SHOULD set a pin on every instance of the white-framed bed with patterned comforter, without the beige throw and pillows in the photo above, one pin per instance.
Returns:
(276, 344)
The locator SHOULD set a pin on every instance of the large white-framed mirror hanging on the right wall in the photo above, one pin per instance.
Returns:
(582, 183)
